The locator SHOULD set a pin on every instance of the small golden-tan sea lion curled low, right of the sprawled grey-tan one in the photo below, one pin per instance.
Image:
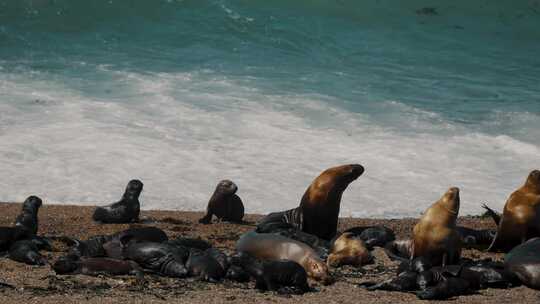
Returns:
(348, 249)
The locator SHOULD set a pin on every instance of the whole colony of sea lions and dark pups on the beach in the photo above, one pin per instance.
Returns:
(288, 248)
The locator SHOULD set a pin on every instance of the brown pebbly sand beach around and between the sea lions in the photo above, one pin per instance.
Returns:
(41, 285)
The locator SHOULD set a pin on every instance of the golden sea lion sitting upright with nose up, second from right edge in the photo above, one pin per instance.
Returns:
(435, 235)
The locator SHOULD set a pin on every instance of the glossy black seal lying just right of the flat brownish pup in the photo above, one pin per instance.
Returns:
(158, 257)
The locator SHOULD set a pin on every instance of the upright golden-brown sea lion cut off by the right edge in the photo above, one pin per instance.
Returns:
(521, 216)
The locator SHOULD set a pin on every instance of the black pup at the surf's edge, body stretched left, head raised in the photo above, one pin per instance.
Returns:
(124, 211)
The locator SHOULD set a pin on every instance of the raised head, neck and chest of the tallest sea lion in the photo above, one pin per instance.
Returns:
(321, 201)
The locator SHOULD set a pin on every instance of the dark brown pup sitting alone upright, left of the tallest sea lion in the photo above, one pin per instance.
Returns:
(224, 204)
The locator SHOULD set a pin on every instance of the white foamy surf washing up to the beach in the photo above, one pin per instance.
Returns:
(181, 133)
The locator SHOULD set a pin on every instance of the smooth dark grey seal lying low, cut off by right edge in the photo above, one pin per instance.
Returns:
(524, 262)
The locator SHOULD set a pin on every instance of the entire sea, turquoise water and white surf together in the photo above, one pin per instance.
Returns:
(425, 94)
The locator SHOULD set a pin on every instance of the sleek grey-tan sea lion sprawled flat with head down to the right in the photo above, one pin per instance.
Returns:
(273, 247)
